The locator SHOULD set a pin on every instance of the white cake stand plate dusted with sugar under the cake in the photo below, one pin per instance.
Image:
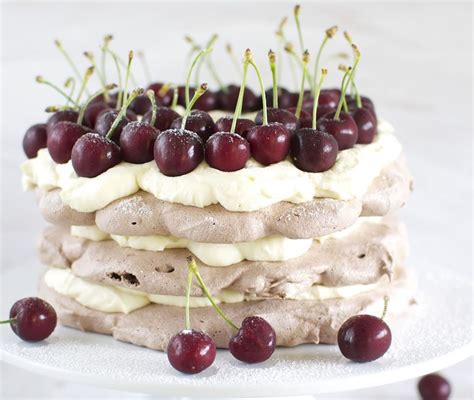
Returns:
(438, 335)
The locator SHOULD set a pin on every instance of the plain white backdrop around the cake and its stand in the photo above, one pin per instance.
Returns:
(416, 65)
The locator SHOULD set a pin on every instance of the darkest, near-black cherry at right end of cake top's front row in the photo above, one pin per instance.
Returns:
(312, 150)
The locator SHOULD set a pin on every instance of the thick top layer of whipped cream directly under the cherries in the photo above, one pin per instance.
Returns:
(251, 188)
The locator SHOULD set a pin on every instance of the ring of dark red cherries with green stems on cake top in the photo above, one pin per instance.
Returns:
(145, 130)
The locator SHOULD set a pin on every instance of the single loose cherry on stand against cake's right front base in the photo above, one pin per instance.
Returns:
(364, 338)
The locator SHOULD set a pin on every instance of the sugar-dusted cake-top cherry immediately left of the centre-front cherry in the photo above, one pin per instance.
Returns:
(178, 152)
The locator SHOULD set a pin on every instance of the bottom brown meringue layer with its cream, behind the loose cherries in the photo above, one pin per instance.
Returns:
(295, 321)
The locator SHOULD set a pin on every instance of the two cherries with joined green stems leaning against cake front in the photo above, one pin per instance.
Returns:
(192, 351)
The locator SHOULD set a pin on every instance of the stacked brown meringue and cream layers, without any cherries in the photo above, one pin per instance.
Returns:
(305, 251)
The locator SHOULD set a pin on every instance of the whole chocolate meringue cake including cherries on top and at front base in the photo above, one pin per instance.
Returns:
(187, 219)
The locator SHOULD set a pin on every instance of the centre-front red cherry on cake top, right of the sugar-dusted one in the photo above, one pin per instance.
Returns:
(227, 151)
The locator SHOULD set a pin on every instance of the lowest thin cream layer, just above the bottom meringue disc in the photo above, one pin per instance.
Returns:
(112, 299)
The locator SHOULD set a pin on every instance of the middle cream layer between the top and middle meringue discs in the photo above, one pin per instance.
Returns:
(271, 248)
